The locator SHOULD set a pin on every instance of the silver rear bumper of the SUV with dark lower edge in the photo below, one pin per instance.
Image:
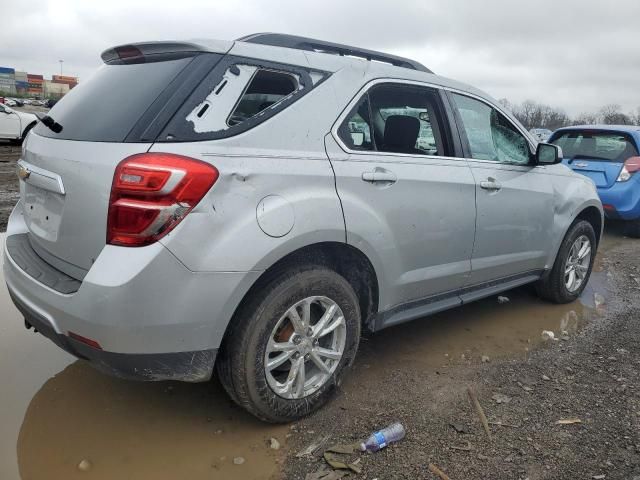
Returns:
(153, 318)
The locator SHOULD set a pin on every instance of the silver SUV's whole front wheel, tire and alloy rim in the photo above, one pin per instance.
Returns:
(557, 285)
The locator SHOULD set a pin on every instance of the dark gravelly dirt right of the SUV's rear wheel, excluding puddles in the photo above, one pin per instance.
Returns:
(591, 374)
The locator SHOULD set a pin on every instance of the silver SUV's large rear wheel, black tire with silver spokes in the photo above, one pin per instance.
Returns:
(241, 363)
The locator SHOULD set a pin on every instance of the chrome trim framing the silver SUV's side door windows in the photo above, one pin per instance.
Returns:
(377, 81)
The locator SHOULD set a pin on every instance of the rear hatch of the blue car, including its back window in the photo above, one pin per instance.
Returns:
(597, 154)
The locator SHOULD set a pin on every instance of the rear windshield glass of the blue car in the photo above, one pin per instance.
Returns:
(608, 146)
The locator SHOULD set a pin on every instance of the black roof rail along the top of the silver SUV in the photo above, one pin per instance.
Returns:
(303, 43)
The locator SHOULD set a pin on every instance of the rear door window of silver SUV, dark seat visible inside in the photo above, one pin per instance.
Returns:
(398, 119)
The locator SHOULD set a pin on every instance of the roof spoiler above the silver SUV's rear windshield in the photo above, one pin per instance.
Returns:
(150, 52)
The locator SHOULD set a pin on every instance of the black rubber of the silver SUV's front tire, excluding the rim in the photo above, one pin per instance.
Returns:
(553, 287)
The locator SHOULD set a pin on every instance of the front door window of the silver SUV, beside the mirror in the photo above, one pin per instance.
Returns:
(490, 134)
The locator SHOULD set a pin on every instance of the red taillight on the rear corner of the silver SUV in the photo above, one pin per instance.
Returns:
(151, 193)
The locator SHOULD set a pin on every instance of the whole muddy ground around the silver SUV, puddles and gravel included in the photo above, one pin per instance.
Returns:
(57, 411)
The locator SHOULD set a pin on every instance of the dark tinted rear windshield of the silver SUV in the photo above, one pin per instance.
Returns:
(107, 106)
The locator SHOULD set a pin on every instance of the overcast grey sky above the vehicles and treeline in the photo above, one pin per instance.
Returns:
(574, 54)
